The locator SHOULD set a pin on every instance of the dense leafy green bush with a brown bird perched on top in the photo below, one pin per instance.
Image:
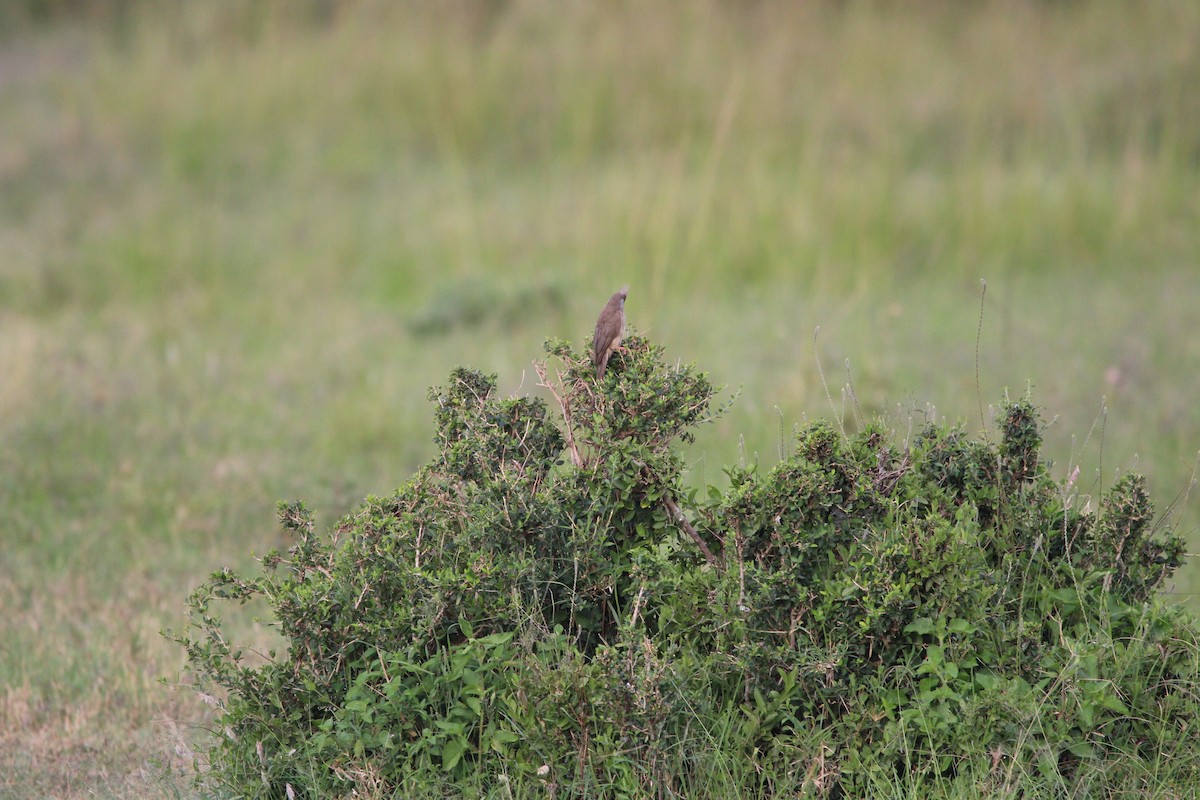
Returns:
(547, 611)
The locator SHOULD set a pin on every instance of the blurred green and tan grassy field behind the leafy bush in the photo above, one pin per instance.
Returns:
(239, 242)
